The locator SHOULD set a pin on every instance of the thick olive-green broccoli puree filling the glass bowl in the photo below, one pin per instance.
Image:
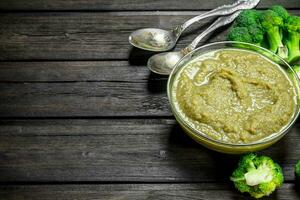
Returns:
(234, 95)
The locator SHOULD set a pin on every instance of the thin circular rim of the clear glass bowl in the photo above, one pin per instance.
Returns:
(231, 43)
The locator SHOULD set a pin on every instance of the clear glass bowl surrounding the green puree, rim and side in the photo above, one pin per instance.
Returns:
(218, 145)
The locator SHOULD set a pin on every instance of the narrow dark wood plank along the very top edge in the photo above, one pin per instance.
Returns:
(102, 5)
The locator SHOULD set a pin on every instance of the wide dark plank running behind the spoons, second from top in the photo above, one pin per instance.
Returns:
(84, 36)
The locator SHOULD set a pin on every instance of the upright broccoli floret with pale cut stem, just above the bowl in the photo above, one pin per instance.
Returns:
(272, 23)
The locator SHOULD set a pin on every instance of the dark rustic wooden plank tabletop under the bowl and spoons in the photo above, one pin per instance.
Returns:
(83, 118)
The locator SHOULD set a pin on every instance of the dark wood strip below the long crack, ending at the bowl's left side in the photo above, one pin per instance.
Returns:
(83, 99)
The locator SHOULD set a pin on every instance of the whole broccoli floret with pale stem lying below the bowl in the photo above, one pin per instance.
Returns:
(257, 175)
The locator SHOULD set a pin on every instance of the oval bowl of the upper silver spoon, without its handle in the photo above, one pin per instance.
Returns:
(153, 39)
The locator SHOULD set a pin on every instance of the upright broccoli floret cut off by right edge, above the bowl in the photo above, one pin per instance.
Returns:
(292, 39)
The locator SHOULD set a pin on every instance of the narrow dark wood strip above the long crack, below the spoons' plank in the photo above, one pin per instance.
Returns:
(87, 71)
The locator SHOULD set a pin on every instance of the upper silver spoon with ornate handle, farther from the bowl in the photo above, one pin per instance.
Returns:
(154, 39)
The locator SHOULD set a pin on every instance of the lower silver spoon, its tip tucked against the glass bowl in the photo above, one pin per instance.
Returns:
(163, 63)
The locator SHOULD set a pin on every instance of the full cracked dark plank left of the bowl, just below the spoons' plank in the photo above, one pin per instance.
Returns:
(80, 89)
